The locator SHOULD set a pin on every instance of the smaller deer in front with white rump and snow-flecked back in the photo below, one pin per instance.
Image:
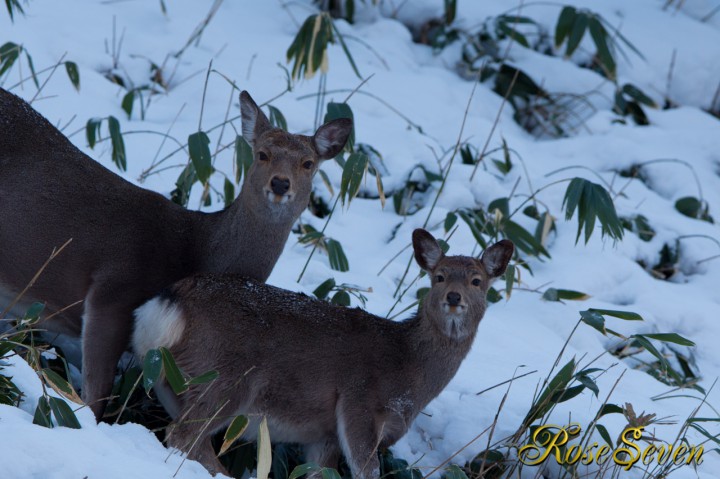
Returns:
(334, 379)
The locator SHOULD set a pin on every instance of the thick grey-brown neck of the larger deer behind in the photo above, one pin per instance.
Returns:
(245, 239)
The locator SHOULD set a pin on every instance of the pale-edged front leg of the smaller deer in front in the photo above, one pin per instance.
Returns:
(359, 439)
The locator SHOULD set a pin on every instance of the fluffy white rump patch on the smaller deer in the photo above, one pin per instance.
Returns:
(158, 322)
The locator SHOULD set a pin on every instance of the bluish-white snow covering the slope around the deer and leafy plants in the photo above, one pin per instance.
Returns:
(246, 40)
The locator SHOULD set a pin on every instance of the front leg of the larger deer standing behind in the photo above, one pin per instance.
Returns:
(106, 334)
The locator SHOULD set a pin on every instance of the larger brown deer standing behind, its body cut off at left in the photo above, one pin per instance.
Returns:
(129, 243)
